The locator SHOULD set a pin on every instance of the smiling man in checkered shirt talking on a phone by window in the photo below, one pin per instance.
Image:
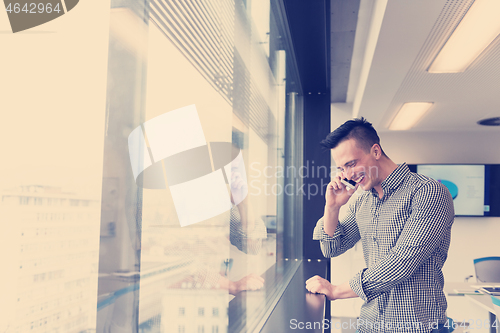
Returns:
(403, 220)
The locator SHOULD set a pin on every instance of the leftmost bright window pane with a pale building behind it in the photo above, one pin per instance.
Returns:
(53, 114)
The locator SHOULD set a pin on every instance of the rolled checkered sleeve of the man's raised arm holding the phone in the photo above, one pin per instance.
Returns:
(345, 237)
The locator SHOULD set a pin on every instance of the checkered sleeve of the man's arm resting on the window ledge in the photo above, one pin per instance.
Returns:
(431, 217)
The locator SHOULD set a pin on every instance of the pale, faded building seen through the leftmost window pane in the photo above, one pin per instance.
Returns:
(53, 240)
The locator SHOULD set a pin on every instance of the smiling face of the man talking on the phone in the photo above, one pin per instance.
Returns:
(354, 163)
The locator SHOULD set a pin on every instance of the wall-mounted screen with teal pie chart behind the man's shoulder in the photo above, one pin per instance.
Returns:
(475, 188)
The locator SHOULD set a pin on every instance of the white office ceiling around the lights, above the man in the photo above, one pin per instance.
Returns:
(411, 34)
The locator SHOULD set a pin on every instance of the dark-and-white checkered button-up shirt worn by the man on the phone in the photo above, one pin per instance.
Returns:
(405, 237)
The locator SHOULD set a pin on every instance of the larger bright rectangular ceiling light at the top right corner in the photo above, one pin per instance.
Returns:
(478, 28)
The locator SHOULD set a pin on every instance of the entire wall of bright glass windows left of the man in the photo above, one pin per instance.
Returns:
(174, 204)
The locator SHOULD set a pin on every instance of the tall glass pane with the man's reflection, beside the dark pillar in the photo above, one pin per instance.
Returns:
(199, 230)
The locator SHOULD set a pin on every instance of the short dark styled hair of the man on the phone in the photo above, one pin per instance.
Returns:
(359, 129)
